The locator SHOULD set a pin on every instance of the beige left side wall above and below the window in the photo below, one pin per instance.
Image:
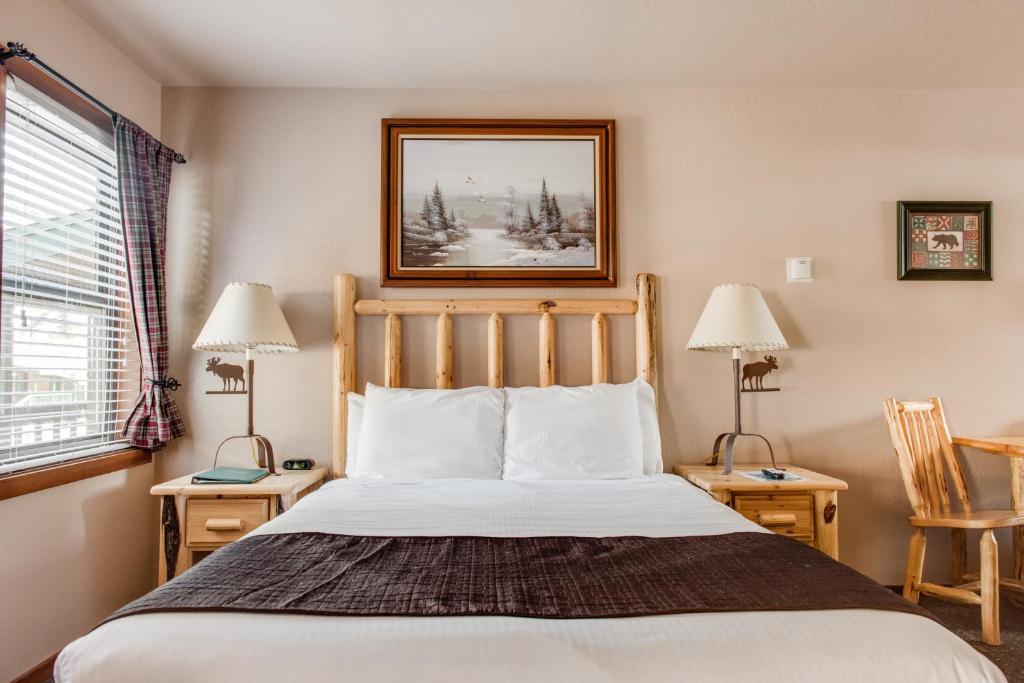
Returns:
(71, 556)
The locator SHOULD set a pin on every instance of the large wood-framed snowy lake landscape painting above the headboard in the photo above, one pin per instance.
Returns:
(498, 203)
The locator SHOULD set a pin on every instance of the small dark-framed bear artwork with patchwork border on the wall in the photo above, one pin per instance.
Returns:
(946, 241)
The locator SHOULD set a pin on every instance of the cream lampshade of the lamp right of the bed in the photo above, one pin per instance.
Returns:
(737, 318)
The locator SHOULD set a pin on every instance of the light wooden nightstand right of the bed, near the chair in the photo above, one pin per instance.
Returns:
(806, 510)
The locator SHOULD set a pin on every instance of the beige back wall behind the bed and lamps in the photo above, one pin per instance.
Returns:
(714, 187)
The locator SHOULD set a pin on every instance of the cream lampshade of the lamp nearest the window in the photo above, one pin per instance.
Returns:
(247, 317)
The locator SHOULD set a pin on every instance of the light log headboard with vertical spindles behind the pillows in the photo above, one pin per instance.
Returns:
(348, 308)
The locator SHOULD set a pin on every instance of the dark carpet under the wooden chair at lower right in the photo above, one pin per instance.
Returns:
(965, 621)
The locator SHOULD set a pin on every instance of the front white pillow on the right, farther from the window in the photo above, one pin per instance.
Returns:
(587, 433)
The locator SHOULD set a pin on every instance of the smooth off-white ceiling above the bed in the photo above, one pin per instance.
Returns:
(571, 44)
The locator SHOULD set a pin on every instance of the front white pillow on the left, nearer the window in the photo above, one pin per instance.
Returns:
(432, 434)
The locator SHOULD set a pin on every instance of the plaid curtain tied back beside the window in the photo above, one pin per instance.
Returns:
(144, 180)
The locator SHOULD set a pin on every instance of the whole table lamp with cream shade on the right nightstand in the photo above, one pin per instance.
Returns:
(737, 319)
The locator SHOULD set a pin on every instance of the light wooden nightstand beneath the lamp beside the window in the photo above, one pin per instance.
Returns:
(196, 520)
